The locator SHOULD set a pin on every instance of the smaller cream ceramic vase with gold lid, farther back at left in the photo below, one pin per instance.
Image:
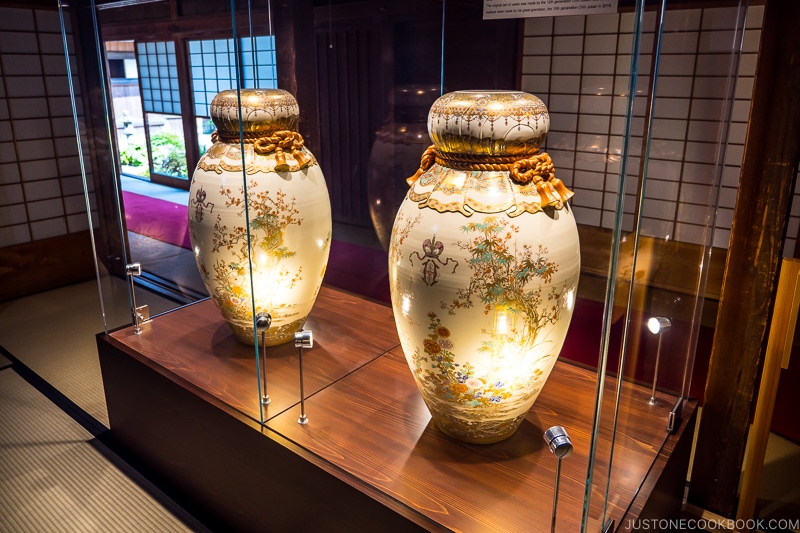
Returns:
(264, 211)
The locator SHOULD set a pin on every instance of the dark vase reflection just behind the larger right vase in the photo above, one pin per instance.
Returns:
(395, 154)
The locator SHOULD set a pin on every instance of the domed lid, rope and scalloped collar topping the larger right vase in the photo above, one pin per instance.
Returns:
(485, 156)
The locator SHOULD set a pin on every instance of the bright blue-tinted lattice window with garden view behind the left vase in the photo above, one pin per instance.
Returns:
(153, 138)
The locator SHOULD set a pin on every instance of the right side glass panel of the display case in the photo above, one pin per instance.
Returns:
(670, 213)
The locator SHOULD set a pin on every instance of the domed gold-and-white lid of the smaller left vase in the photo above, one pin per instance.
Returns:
(265, 112)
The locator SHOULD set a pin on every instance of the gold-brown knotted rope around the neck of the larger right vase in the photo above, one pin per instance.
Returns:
(538, 169)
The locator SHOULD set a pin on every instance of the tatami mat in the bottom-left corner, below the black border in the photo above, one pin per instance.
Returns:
(55, 476)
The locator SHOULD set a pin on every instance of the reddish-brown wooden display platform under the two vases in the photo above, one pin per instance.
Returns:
(183, 398)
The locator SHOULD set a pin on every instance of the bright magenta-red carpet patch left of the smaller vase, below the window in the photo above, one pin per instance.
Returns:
(159, 219)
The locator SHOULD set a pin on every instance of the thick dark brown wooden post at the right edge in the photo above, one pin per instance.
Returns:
(759, 224)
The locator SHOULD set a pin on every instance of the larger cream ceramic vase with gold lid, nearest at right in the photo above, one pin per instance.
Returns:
(484, 264)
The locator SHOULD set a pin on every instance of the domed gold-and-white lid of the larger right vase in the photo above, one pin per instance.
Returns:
(488, 123)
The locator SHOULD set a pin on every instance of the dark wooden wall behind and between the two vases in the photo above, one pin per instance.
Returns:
(365, 50)
